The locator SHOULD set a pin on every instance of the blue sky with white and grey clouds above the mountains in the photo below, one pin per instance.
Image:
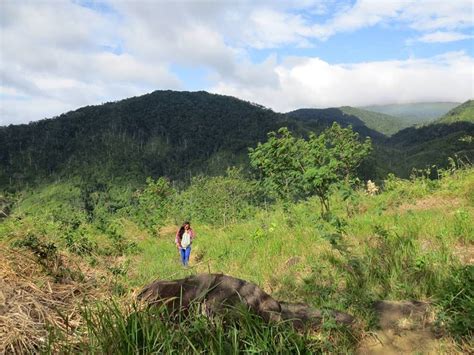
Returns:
(59, 55)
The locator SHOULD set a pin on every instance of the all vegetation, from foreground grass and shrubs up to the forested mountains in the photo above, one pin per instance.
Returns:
(91, 202)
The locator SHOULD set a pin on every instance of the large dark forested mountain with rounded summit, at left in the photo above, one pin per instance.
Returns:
(163, 133)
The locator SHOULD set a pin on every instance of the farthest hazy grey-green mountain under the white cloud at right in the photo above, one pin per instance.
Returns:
(415, 113)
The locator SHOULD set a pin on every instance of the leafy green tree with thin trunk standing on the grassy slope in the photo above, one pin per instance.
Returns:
(292, 167)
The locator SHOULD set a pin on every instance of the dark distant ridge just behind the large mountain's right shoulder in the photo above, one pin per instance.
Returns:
(319, 119)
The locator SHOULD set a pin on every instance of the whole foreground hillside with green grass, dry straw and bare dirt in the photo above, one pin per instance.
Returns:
(412, 241)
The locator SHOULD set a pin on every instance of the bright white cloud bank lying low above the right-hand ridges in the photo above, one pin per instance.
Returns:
(312, 82)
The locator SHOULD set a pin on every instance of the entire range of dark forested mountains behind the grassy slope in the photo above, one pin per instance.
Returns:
(180, 134)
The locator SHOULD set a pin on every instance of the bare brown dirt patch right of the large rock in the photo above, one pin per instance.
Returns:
(405, 328)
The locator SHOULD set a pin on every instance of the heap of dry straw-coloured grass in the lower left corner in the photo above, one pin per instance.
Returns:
(31, 302)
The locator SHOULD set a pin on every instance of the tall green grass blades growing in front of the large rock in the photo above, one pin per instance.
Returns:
(114, 330)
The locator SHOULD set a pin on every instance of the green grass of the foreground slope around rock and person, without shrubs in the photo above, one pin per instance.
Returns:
(410, 242)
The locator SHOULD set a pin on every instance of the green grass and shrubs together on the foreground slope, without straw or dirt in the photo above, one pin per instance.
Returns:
(411, 241)
